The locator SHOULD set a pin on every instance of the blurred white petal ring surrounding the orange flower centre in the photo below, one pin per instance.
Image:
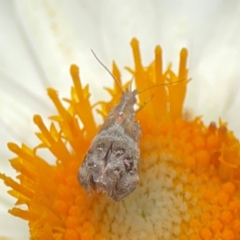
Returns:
(40, 39)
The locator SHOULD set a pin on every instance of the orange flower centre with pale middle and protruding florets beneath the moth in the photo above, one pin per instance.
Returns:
(189, 186)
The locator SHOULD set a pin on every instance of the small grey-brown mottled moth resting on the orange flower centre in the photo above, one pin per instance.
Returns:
(111, 165)
